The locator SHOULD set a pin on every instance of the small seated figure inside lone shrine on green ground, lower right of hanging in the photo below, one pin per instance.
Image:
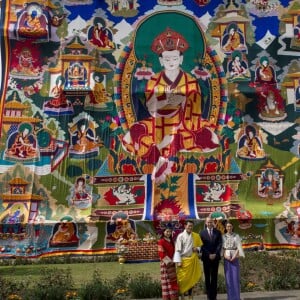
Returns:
(269, 184)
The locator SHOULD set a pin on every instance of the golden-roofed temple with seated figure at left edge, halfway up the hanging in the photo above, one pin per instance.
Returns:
(27, 140)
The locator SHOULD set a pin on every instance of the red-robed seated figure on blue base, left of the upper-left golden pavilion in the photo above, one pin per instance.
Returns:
(59, 100)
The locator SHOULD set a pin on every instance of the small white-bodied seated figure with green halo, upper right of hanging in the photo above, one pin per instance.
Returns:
(238, 68)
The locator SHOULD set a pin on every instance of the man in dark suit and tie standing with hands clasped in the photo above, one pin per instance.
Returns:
(211, 255)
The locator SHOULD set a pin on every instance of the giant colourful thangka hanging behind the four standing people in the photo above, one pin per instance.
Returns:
(121, 116)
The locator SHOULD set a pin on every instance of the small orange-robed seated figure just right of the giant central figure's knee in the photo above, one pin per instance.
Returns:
(250, 146)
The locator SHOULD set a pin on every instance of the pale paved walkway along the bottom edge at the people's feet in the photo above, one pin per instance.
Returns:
(278, 295)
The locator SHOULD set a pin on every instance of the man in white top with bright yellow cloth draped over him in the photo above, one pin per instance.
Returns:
(186, 257)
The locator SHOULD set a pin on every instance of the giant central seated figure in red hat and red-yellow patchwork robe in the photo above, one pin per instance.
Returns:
(173, 100)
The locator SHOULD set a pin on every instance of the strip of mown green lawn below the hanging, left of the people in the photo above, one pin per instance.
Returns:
(81, 272)
